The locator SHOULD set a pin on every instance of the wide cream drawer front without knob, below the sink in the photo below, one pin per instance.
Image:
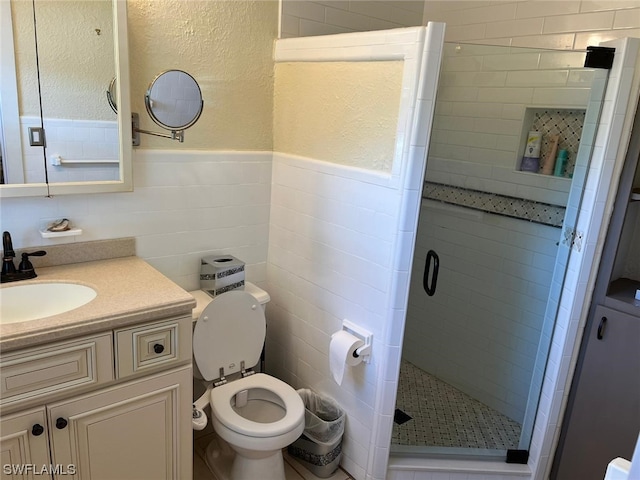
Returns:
(59, 367)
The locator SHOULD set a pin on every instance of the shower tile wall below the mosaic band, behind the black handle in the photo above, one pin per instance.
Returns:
(481, 329)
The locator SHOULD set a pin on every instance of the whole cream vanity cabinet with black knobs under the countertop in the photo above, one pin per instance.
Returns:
(113, 405)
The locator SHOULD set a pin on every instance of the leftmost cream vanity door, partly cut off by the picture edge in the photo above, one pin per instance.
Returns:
(23, 445)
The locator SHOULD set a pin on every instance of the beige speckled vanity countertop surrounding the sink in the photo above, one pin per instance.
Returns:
(129, 291)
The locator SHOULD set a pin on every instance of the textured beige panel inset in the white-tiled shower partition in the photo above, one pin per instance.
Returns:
(338, 112)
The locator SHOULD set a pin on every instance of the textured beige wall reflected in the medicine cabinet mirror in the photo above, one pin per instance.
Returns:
(76, 64)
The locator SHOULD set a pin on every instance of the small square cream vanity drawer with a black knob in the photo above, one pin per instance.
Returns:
(147, 347)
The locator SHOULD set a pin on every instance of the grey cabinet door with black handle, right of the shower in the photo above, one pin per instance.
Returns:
(605, 417)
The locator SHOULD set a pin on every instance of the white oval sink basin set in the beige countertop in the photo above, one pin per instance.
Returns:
(21, 303)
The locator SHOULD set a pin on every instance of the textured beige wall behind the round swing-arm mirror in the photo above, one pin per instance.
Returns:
(227, 46)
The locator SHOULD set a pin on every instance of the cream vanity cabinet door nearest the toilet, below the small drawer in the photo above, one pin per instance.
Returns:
(137, 430)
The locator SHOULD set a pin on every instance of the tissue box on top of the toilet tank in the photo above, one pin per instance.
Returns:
(221, 273)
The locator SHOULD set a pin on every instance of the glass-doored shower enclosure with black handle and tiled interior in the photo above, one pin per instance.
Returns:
(492, 245)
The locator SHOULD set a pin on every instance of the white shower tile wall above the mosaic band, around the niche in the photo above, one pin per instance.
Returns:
(478, 128)
